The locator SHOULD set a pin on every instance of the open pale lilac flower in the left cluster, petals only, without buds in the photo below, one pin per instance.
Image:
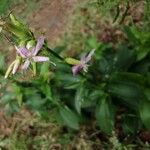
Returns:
(31, 55)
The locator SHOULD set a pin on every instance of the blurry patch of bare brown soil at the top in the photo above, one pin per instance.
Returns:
(52, 17)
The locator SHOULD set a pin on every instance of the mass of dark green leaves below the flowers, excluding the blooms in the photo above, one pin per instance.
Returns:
(117, 79)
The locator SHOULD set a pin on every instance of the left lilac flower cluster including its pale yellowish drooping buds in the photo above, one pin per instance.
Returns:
(29, 56)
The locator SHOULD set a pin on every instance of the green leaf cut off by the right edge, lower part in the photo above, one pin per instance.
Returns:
(145, 113)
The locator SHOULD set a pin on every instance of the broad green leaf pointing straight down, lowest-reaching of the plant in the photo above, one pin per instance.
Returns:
(105, 115)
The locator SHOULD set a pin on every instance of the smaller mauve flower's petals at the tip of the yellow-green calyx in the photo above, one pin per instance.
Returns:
(83, 63)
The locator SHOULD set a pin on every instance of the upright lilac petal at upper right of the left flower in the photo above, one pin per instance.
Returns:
(39, 45)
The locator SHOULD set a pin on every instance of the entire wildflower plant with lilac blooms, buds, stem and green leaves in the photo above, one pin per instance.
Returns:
(103, 82)
